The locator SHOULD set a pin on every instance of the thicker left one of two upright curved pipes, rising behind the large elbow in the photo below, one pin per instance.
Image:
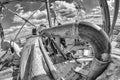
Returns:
(105, 15)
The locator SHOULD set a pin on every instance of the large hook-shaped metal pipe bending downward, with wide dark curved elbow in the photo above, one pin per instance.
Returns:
(95, 35)
